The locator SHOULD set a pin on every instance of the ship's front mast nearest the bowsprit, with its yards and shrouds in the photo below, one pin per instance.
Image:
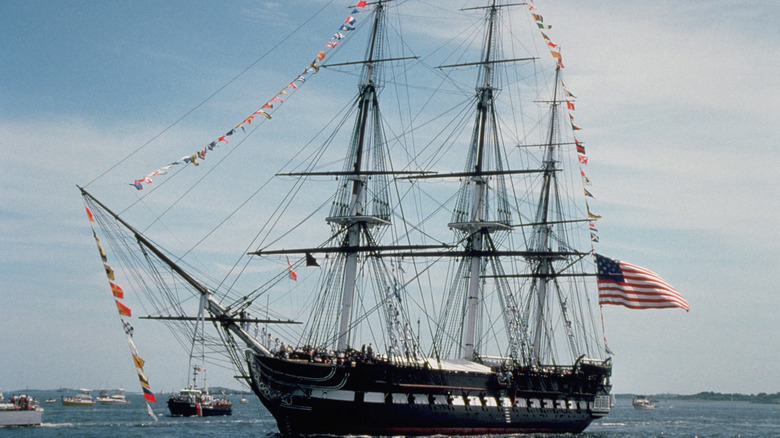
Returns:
(359, 216)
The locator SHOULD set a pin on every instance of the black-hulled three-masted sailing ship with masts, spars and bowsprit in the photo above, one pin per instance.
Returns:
(417, 323)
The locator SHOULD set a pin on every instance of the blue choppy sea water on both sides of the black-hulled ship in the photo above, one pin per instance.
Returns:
(671, 419)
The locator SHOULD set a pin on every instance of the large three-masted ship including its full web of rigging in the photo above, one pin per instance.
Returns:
(448, 286)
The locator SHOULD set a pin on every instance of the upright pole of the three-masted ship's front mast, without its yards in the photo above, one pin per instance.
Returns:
(348, 211)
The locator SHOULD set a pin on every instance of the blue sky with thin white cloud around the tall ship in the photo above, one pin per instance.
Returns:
(676, 99)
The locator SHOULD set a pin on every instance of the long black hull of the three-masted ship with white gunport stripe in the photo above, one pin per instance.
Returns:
(385, 399)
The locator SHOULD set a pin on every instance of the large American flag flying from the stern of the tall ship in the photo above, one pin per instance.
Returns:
(624, 284)
